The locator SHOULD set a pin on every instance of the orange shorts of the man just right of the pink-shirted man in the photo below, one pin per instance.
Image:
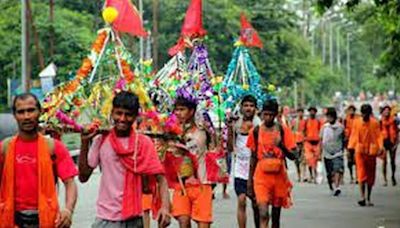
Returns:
(197, 203)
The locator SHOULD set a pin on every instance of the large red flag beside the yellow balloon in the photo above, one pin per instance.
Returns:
(128, 19)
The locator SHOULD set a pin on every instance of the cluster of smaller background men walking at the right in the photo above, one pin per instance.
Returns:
(364, 138)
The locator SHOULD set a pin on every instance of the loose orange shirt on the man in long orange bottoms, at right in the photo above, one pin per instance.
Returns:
(365, 134)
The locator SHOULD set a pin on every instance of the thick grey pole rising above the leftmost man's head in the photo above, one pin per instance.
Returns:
(24, 48)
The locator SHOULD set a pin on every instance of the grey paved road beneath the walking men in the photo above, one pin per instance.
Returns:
(313, 207)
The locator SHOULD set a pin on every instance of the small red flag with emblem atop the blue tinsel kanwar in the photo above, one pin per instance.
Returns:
(248, 35)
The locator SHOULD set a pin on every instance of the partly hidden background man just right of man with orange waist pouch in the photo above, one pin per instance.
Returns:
(298, 126)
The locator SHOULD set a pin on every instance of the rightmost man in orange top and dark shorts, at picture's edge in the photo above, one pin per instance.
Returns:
(390, 133)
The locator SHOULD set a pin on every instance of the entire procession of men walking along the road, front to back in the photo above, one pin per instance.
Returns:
(168, 175)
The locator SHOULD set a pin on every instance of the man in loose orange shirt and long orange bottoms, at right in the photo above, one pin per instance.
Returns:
(366, 140)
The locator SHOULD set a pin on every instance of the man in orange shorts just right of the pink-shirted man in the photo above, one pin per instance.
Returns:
(193, 201)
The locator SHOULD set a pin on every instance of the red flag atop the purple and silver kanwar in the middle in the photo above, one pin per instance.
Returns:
(193, 24)
